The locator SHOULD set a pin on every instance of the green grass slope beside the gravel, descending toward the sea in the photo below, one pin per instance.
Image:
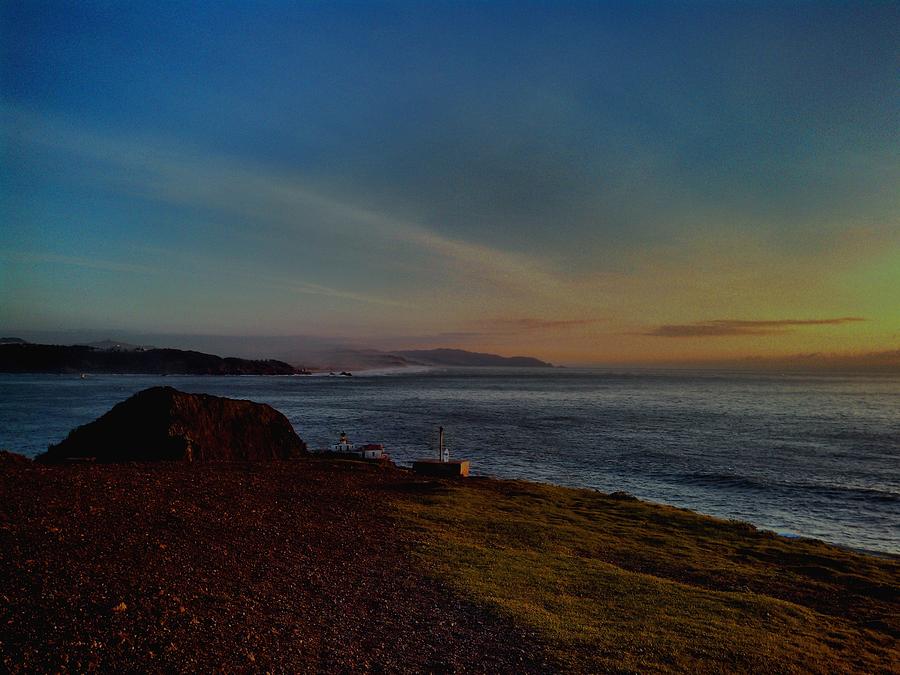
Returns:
(625, 586)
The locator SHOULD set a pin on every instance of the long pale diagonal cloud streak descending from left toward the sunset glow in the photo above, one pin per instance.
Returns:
(277, 203)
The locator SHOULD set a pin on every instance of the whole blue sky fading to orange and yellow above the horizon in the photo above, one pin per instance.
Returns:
(633, 182)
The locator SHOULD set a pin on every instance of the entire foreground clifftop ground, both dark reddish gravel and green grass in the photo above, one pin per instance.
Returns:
(349, 561)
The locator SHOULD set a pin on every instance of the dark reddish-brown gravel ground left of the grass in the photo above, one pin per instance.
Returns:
(277, 566)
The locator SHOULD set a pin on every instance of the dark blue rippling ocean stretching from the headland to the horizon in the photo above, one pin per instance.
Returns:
(802, 455)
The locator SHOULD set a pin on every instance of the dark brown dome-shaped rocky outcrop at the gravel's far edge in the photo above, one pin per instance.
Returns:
(162, 423)
